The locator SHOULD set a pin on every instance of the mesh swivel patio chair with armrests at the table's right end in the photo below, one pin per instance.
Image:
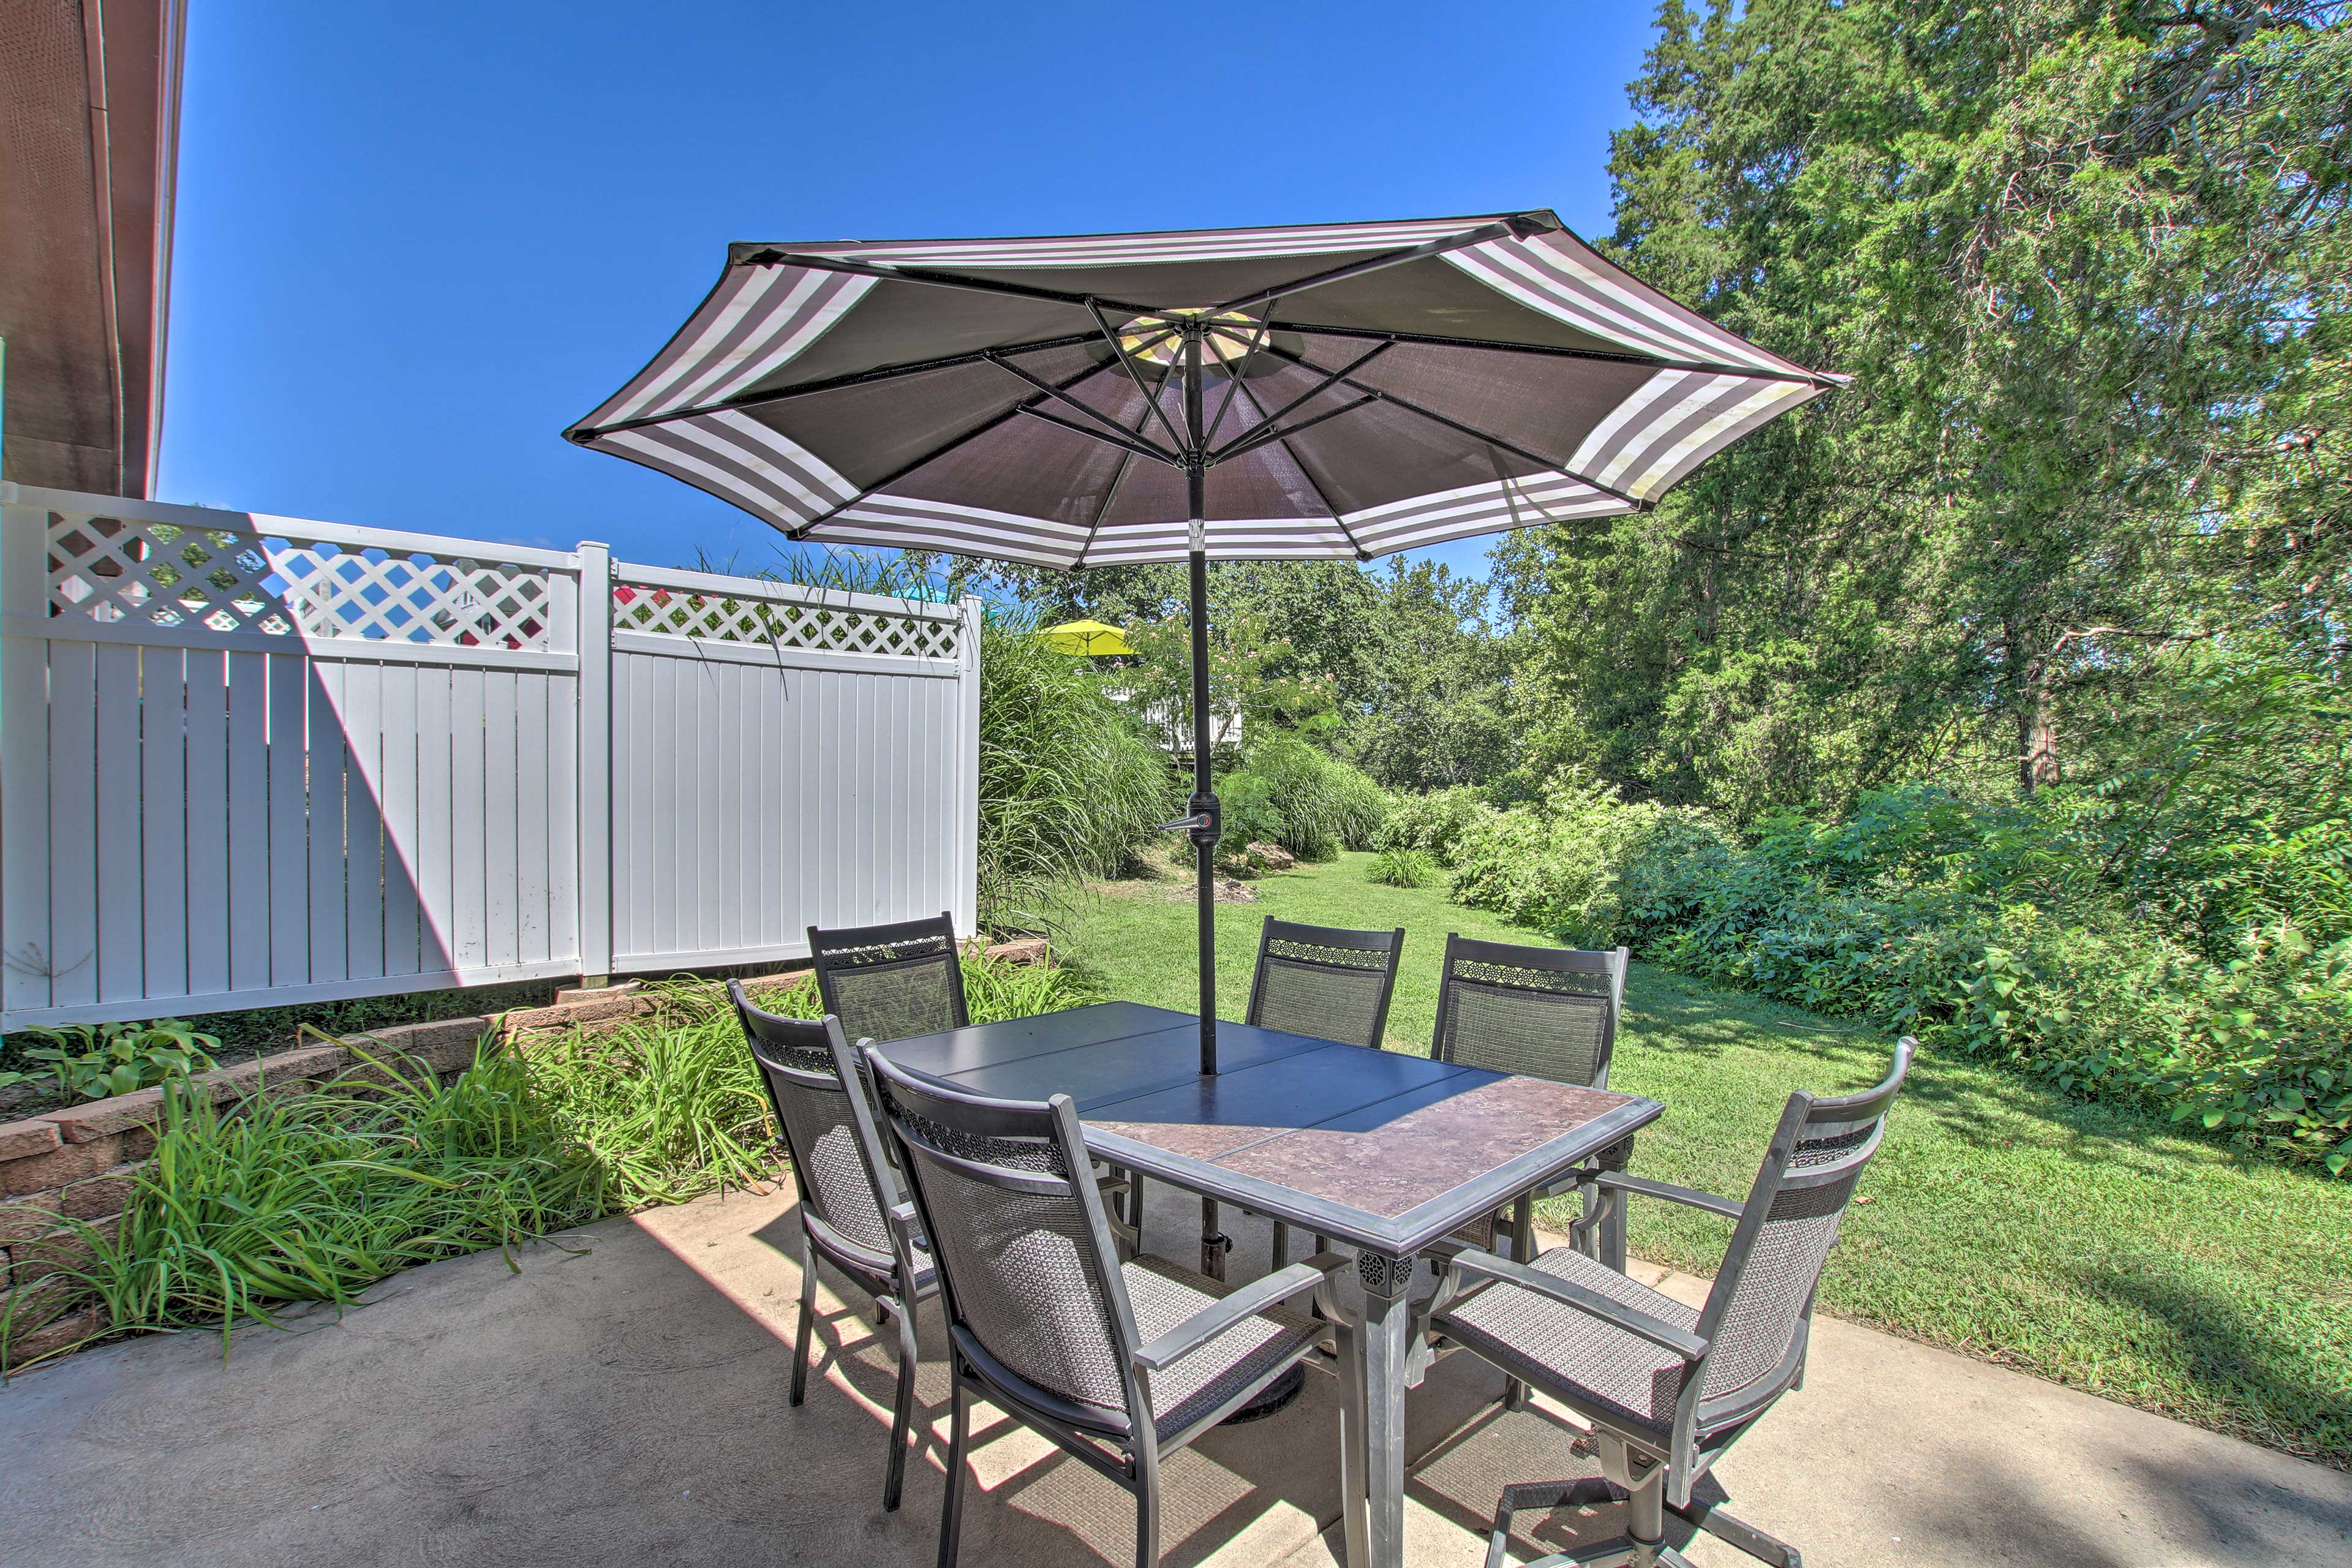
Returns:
(1664, 1388)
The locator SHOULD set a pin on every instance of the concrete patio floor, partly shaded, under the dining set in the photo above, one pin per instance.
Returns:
(624, 1405)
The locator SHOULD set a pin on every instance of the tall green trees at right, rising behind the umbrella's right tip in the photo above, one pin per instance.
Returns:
(2090, 276)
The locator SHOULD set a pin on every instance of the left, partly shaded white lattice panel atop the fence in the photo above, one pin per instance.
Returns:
(229, 582)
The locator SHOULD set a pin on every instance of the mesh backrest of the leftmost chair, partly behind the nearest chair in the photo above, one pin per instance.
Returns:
(846, 1184)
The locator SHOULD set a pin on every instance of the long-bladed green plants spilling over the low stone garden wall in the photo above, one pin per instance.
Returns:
(316, 1198)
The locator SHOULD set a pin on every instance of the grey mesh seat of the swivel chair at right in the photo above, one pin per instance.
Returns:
(1561, 1346)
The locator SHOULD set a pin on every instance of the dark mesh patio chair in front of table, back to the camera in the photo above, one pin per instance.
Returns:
(1116, 1362)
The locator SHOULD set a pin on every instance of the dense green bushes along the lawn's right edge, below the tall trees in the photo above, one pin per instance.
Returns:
(1991, 930)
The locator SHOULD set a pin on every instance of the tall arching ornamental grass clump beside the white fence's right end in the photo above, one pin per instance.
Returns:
(1069, 784)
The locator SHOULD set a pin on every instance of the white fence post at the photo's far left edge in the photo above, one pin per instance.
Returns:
(25, 756)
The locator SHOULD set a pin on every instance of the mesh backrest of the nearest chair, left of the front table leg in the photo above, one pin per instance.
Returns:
(1027, 1266)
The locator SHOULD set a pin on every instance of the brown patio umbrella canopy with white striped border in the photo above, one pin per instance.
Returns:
(1457, 377)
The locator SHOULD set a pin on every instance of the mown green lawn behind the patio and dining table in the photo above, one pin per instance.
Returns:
(2005, 1221)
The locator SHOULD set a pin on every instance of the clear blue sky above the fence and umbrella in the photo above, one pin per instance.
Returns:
(417, 241)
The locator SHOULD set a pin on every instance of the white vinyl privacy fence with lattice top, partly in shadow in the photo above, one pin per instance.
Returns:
(250, 760)
